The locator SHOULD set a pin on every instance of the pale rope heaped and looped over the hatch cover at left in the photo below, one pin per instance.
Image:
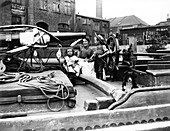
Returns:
(50, 87)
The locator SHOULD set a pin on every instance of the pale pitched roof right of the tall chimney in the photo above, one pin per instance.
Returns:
(125, 22)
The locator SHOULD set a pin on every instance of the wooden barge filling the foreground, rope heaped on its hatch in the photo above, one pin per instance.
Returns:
(44, 99)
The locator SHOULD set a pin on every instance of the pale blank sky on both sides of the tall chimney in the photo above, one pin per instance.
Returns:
(150, 11)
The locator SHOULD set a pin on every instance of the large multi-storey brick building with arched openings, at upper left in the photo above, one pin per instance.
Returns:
(52, 15)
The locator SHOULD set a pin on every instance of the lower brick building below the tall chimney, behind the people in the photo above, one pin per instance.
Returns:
(92, 25)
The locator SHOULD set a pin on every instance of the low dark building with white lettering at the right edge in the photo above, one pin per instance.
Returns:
(145, 35)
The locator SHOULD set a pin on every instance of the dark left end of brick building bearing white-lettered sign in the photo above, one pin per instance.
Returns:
(13, 12)
